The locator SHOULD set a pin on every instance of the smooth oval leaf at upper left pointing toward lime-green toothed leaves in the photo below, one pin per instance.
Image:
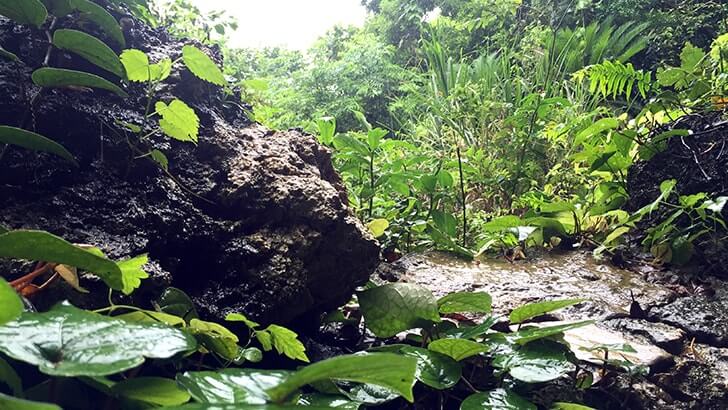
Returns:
(90, 48)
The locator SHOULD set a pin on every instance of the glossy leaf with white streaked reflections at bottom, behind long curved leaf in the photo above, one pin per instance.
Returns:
(245, 386)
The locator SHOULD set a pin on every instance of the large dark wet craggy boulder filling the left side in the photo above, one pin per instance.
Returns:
(247, 220)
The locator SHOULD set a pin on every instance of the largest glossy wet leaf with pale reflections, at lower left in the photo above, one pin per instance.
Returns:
(67, 341)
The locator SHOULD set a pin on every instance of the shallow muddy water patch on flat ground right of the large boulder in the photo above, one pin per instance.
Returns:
(550, 276)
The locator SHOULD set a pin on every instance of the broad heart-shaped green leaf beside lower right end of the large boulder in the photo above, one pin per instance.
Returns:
(396, 307)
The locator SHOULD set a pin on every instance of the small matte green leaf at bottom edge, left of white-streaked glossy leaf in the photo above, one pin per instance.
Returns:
(157, 391)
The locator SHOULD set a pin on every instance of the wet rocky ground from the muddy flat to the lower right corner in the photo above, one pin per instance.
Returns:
(681, 336)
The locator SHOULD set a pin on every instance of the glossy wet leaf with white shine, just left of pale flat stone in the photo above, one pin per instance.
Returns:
(538, 362)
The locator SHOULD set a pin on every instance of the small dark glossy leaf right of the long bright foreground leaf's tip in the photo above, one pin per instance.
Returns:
(434, 369)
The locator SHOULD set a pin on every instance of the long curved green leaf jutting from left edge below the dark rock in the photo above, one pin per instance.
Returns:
(43, 246)
